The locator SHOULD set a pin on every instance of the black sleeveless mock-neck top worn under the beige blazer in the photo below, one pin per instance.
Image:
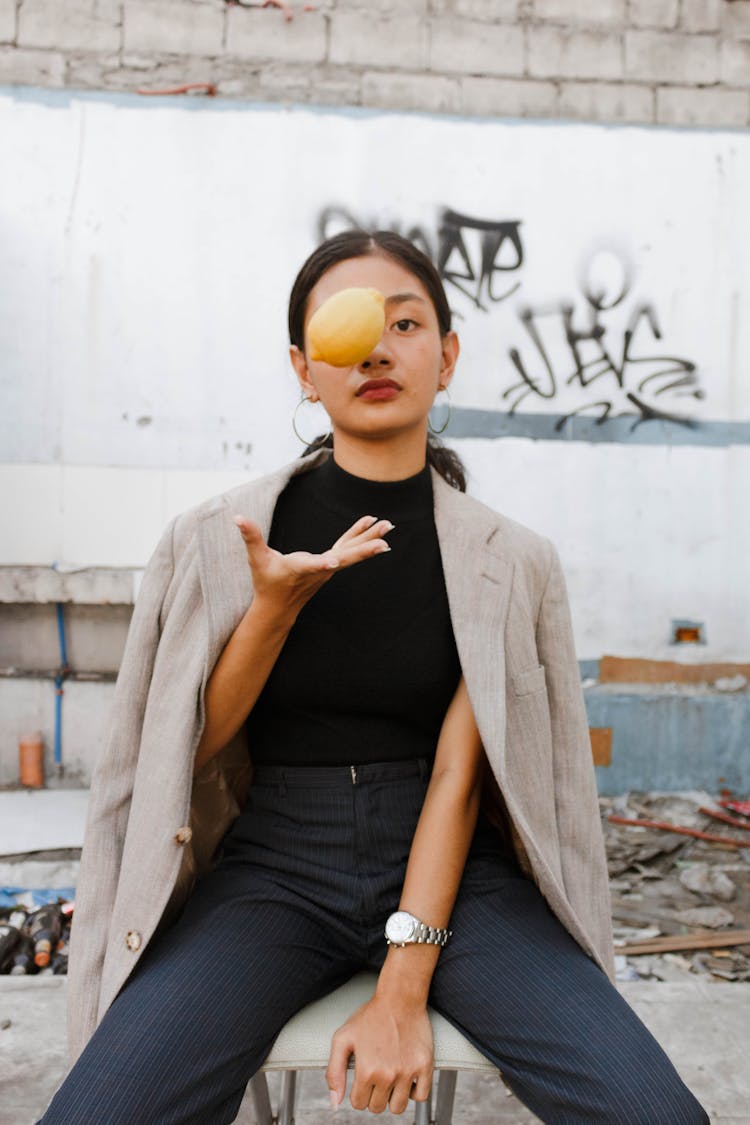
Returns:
(371, 665)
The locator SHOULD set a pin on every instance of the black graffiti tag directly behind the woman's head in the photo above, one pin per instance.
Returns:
(469, 253)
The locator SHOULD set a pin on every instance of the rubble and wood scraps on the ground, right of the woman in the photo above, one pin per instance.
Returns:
(680, 877)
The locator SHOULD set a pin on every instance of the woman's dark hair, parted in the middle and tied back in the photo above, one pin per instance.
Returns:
(362, 245)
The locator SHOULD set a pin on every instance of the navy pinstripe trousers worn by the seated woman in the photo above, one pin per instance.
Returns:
(308, 877)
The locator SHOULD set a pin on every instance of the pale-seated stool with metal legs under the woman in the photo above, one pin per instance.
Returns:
(305, 1042)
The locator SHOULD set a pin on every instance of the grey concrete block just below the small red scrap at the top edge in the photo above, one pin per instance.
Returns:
(268, 35)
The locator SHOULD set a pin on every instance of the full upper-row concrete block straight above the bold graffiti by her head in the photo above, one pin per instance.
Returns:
(468, 48)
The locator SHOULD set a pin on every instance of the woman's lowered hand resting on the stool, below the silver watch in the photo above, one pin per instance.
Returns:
(393, 1050)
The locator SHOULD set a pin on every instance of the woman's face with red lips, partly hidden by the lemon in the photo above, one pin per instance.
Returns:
(412, 359)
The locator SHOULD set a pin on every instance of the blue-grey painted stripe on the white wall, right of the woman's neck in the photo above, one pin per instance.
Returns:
(467, 422)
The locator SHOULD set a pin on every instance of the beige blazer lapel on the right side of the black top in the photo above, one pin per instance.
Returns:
(478, 583)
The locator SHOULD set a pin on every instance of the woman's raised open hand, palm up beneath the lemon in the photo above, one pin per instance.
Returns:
(285, 583)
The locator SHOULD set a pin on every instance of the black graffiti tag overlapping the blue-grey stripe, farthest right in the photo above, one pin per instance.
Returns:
(630, 375)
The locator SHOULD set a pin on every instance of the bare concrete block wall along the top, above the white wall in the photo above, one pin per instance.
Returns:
(673, 62)
